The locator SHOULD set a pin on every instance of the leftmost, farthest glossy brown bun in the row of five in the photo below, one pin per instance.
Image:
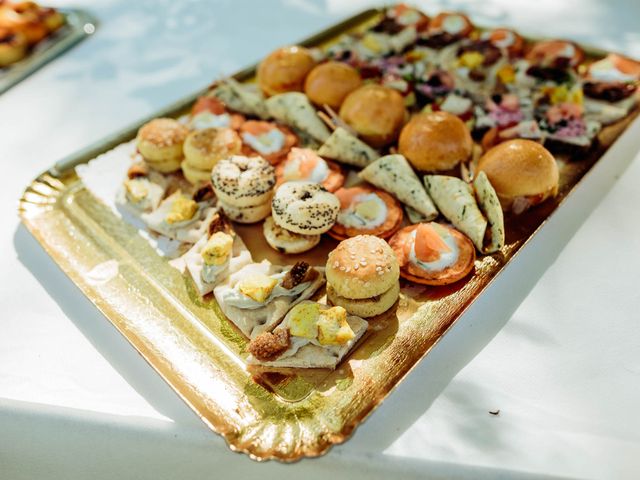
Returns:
(284, 70)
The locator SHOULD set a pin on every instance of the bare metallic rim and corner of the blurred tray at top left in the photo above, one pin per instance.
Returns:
(79, 25)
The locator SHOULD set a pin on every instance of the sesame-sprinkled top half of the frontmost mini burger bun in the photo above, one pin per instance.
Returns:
(362, 267)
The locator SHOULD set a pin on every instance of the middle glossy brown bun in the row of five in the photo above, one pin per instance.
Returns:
(375, 112)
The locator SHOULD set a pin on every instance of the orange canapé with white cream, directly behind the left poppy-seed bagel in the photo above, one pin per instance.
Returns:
(266, 139)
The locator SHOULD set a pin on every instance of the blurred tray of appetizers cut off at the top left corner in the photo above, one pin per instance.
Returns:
(32, 35)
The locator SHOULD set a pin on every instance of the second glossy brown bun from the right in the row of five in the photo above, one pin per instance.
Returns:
(435, 141)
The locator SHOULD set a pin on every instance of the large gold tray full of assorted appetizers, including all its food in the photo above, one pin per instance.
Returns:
(284, 247)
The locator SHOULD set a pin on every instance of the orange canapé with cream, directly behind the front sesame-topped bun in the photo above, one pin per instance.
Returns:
(366, 211)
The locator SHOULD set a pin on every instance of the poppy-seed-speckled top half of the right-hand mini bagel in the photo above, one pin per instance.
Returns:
(304, 207)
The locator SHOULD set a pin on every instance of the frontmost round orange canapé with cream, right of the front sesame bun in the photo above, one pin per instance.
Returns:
(433, 254)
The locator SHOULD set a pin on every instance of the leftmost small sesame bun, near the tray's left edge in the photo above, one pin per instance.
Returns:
(161, 140)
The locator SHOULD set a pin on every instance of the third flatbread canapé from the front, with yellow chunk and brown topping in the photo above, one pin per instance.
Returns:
(216, 255)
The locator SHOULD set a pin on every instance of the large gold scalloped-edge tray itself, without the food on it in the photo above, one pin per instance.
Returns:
(281, 414)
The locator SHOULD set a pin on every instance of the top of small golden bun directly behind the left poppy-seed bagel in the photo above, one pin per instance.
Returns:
(204, 148)
